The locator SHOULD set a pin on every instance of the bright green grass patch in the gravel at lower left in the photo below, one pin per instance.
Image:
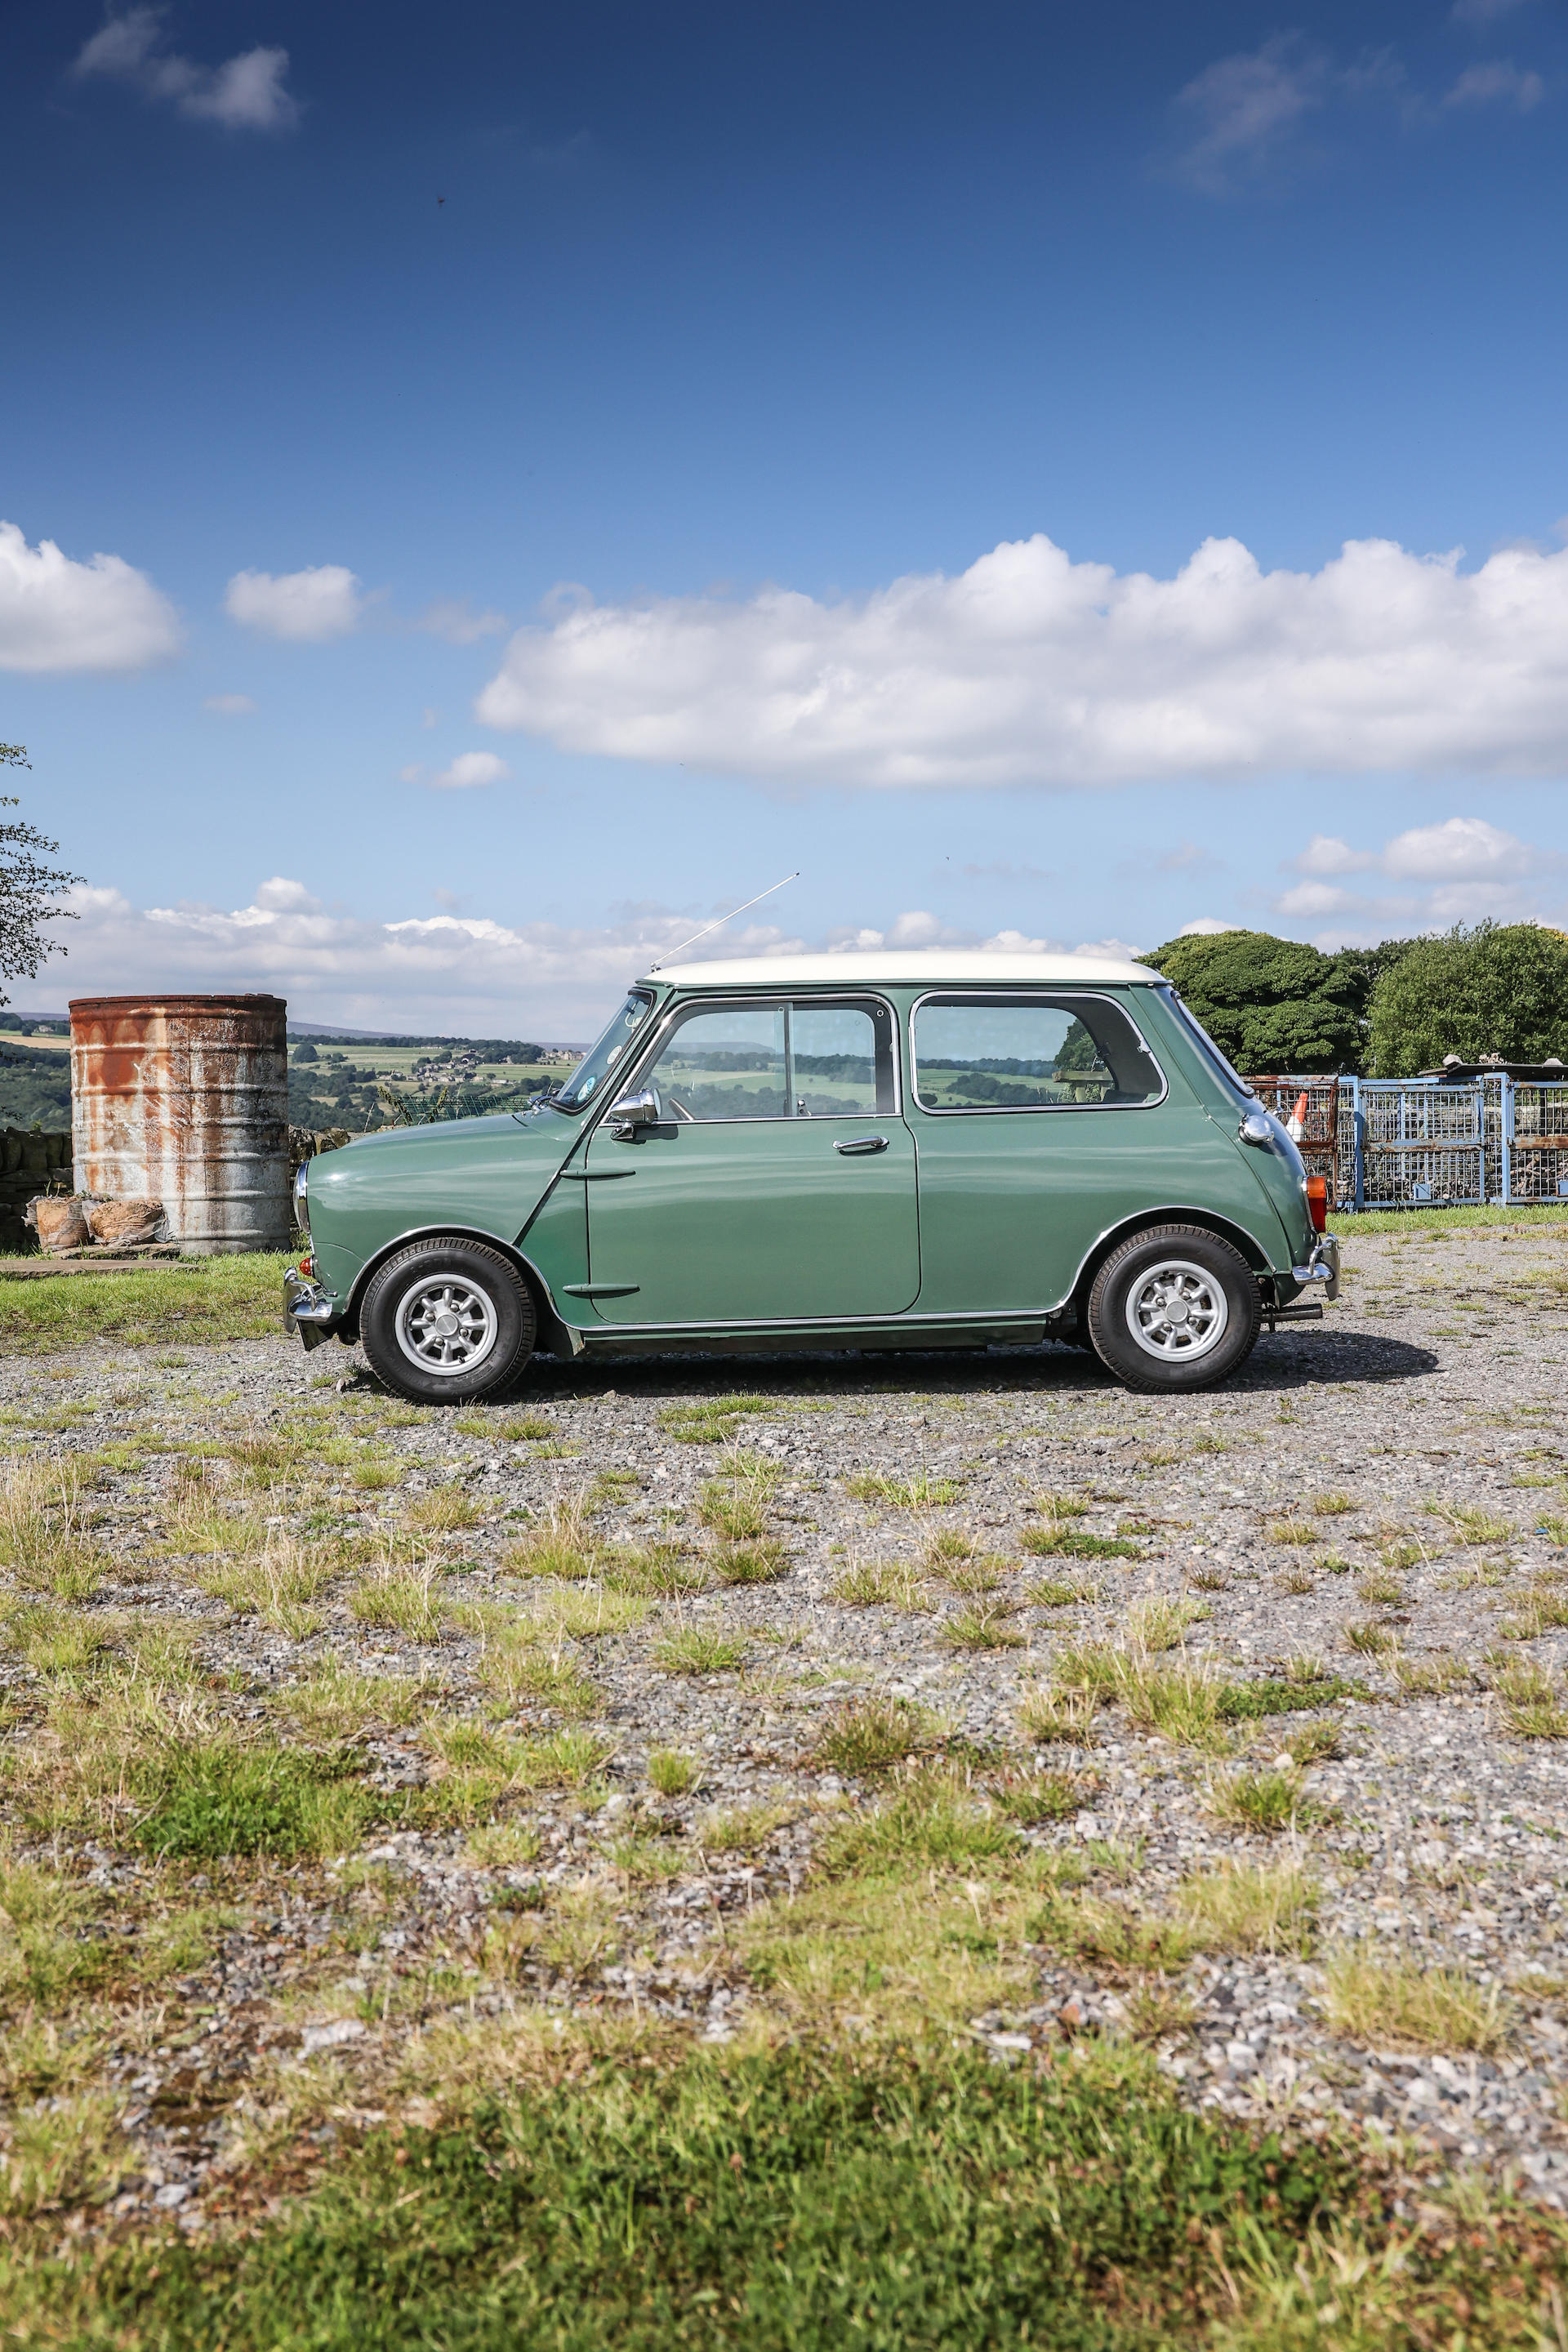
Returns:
(217, 1798)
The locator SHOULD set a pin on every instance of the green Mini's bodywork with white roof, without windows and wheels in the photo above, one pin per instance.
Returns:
(904, 1220)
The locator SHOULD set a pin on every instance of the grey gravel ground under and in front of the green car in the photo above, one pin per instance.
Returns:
(1430, 1412)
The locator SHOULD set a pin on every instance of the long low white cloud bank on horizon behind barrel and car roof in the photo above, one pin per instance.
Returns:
(460, 975)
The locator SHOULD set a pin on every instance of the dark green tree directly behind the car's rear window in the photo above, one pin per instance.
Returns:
(1271, 1003)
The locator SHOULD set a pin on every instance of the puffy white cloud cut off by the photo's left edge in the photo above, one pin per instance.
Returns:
(58, 615)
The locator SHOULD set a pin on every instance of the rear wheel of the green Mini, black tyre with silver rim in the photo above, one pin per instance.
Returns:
(1198, 1325)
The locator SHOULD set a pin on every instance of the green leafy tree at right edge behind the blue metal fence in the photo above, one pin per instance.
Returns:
(1496, 989)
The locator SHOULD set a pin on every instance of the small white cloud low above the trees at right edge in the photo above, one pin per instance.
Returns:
(1463, 871)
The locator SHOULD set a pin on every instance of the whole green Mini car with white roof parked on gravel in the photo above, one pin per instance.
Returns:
(836, 1151)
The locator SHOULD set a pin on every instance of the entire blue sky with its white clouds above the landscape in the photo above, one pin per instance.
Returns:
(721, 446)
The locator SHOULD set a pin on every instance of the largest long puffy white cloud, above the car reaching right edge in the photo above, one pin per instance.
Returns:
(1036, 669)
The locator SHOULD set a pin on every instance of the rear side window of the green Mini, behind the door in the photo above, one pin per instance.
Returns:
(1031, 1053)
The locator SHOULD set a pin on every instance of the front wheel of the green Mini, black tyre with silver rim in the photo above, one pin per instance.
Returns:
(455, 1302)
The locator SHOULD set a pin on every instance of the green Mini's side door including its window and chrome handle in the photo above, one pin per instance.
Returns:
(779, 1182)
